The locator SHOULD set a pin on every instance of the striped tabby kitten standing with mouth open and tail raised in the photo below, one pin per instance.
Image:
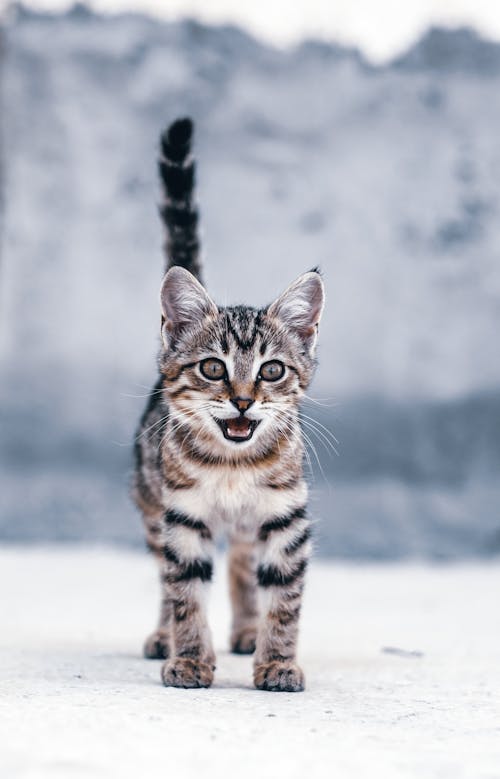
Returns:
(219, 447)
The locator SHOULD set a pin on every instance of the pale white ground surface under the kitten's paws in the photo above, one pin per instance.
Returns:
(77, 699)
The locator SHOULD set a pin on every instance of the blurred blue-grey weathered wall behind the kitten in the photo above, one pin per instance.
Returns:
(385, 174)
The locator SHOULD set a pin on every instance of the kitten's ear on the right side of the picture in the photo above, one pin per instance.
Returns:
(300, 307)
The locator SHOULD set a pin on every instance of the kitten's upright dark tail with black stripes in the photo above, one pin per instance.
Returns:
(178, 211)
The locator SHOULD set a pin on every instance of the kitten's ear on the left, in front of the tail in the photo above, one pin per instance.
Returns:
(184, 302)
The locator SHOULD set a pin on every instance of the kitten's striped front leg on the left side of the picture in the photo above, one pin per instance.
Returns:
(187, 569)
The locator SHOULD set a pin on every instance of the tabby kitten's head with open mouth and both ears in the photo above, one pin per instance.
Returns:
(234, 376)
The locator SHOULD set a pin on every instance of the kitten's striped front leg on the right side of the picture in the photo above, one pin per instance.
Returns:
(284, 552)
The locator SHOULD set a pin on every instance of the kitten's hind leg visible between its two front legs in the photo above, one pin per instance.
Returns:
(243, 592)
